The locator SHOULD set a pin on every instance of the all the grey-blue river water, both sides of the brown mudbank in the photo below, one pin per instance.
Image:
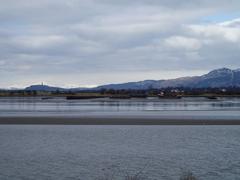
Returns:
(39, 152)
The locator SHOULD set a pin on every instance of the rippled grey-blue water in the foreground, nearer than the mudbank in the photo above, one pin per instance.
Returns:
(88, 152)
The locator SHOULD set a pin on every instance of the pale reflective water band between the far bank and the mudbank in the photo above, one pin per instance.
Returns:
(61, 106)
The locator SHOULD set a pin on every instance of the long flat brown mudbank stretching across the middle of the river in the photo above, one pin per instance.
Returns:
(110, 121)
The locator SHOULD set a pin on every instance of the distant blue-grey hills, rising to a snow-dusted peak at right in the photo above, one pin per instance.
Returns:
(223, 77)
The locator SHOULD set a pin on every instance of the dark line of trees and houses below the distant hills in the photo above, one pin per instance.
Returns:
(148, 92)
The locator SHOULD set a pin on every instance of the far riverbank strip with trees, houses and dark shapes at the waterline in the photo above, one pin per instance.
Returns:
(124, 93)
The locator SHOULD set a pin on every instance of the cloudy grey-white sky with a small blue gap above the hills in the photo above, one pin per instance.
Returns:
(74, 43)
